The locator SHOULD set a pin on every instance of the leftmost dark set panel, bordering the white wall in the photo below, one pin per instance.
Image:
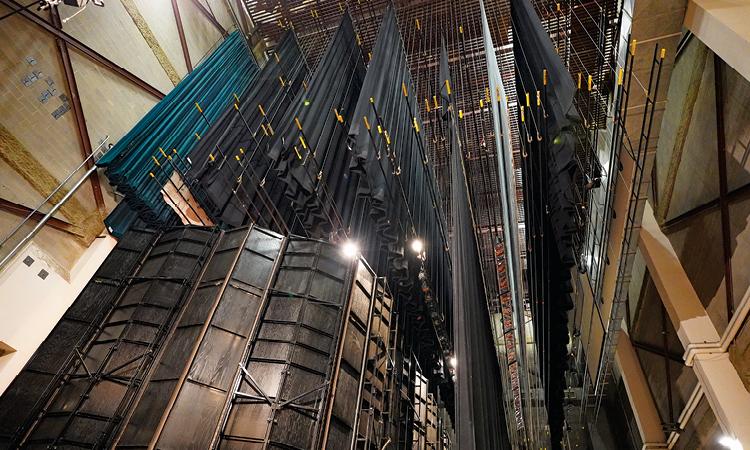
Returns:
(27, 393)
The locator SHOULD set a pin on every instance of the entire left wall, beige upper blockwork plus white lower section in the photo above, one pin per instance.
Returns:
(30, 305)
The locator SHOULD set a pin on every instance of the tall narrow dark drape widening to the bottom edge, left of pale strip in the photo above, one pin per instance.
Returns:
(479, 416)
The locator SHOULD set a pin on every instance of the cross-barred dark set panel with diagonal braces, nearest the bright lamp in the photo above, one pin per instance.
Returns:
(282, 388)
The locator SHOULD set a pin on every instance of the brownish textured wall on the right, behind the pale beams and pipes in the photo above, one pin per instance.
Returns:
(687, 178)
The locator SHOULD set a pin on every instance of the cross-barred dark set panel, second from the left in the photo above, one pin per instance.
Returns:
(97, 389)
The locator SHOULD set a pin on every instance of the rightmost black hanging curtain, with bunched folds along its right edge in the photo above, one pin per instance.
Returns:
(551, 211)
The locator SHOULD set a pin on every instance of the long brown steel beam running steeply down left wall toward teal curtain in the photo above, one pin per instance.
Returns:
(75, 99)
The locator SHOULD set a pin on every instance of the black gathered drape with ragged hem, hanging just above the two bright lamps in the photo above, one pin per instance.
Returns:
(388, 151)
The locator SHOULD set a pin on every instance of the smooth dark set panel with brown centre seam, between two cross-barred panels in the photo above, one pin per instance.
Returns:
(183, 399)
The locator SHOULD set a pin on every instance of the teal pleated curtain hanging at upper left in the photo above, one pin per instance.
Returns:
(173, 124)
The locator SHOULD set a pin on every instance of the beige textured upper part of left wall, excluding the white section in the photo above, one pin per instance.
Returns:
(111, 105)
